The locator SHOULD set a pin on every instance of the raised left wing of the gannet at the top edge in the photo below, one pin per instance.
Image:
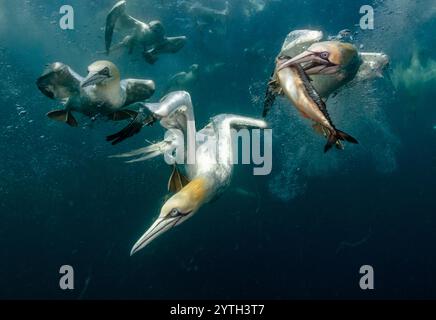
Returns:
(118, 16)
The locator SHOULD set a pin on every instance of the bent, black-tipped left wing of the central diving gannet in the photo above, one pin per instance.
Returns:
(174, 111)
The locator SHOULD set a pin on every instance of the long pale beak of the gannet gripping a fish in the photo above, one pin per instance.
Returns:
(313, 62)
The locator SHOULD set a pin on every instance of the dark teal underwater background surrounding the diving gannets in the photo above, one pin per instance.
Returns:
(301, 232)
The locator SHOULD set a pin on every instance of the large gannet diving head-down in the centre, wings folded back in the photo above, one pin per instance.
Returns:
(210, 172)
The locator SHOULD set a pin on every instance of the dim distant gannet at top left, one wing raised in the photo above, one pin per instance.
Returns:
(150, 36)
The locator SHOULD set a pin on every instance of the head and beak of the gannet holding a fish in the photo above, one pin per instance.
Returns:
(327, 57)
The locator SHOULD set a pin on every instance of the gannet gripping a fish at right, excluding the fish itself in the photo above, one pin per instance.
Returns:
(330, 64)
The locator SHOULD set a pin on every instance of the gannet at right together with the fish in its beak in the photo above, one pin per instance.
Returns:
(330, 65)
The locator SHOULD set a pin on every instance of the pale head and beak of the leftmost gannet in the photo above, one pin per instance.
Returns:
(101, 73)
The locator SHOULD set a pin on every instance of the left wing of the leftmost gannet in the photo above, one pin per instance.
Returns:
(59, 81)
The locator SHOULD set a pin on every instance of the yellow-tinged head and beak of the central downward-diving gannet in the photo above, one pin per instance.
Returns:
(179, 208)
